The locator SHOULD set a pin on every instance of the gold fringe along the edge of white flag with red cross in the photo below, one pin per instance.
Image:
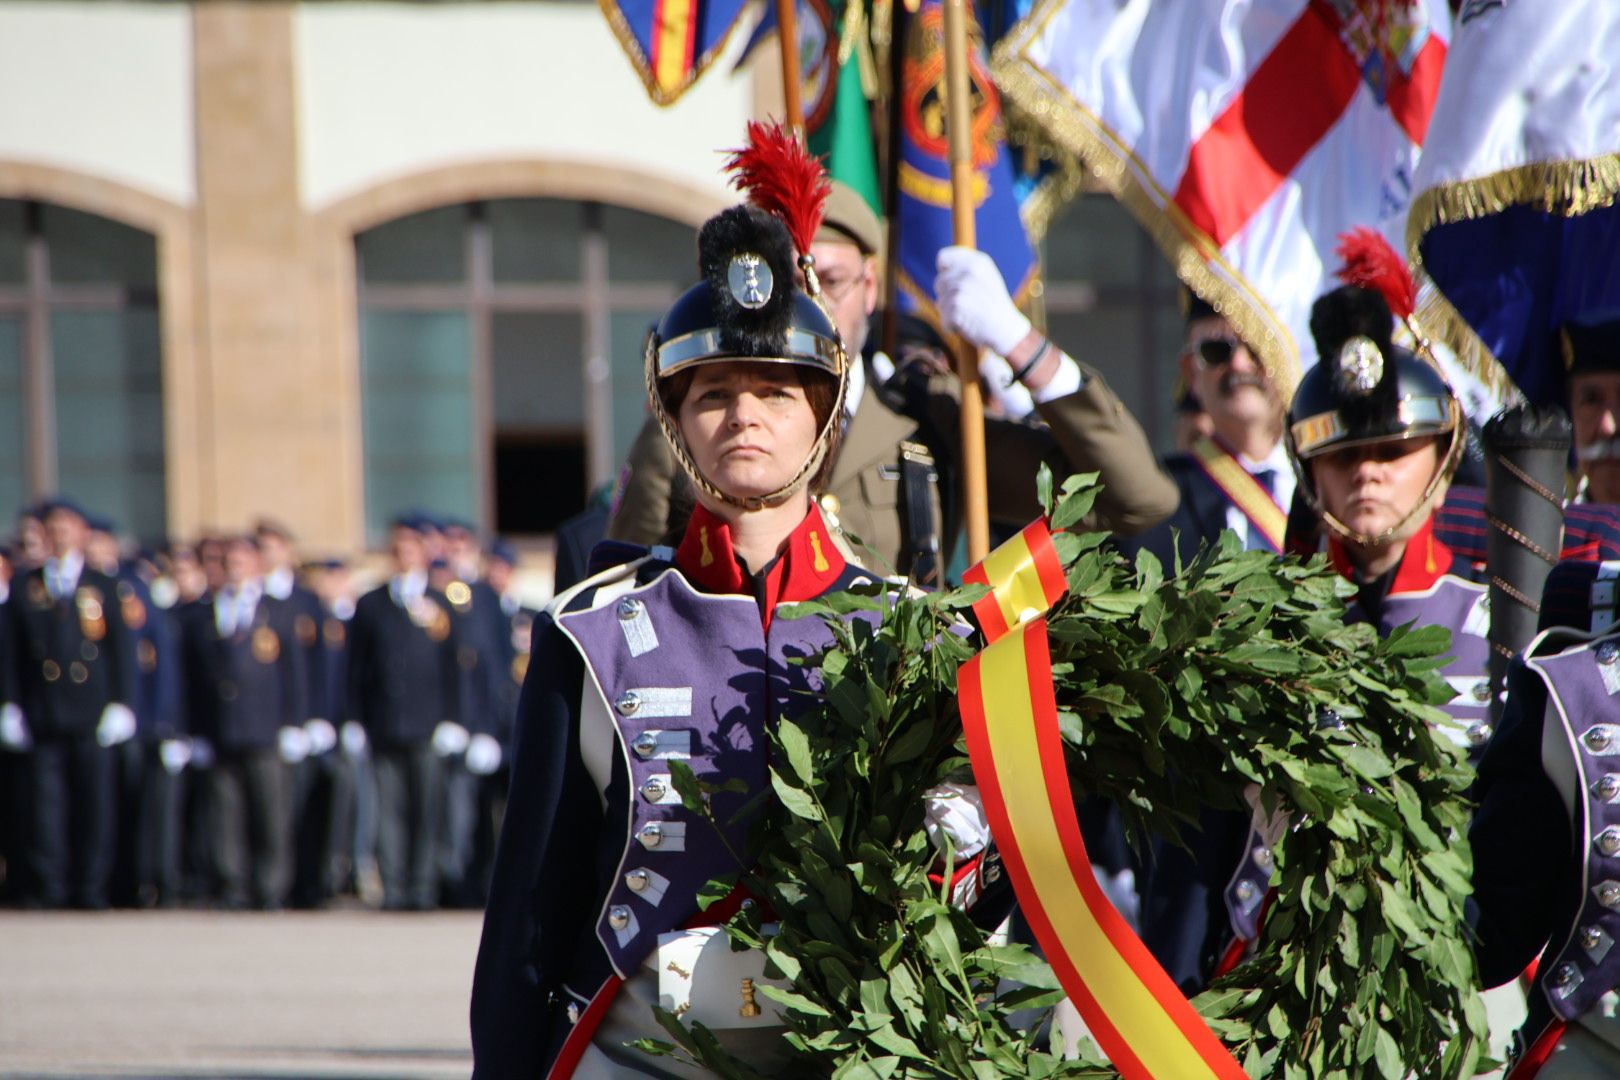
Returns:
(1193, 253)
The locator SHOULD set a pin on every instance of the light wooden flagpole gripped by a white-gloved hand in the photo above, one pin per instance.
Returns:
(958, 127)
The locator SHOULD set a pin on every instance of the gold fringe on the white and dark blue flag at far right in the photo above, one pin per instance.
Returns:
(1561, 189)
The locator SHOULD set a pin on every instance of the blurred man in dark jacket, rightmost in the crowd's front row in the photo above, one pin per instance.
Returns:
(406, 689)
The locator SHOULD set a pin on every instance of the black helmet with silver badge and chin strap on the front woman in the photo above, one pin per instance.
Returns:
(748, 308)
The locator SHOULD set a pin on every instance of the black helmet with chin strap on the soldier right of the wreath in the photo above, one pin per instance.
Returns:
(1366, 389)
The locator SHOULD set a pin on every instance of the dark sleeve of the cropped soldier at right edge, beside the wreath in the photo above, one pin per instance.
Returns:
(1524, 859)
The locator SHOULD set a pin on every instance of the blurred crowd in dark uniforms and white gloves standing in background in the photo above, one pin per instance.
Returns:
(223, 725)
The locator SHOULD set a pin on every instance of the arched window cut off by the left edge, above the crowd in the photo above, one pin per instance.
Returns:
(82, 399)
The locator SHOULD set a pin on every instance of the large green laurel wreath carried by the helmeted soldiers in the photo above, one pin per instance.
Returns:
(1177, 692)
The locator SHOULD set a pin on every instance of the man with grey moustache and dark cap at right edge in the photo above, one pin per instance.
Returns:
(1592, 357)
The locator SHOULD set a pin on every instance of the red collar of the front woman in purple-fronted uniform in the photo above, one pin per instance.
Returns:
(808, 568)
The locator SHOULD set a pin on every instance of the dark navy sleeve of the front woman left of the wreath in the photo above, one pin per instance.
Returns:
(540, 899)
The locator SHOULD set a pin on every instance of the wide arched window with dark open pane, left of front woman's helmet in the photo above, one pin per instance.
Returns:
(501, 354)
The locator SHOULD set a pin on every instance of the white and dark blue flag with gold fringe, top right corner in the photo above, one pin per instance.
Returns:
(1516, 215)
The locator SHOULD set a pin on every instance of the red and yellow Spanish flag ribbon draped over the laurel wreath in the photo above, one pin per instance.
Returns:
(1010, 712)
